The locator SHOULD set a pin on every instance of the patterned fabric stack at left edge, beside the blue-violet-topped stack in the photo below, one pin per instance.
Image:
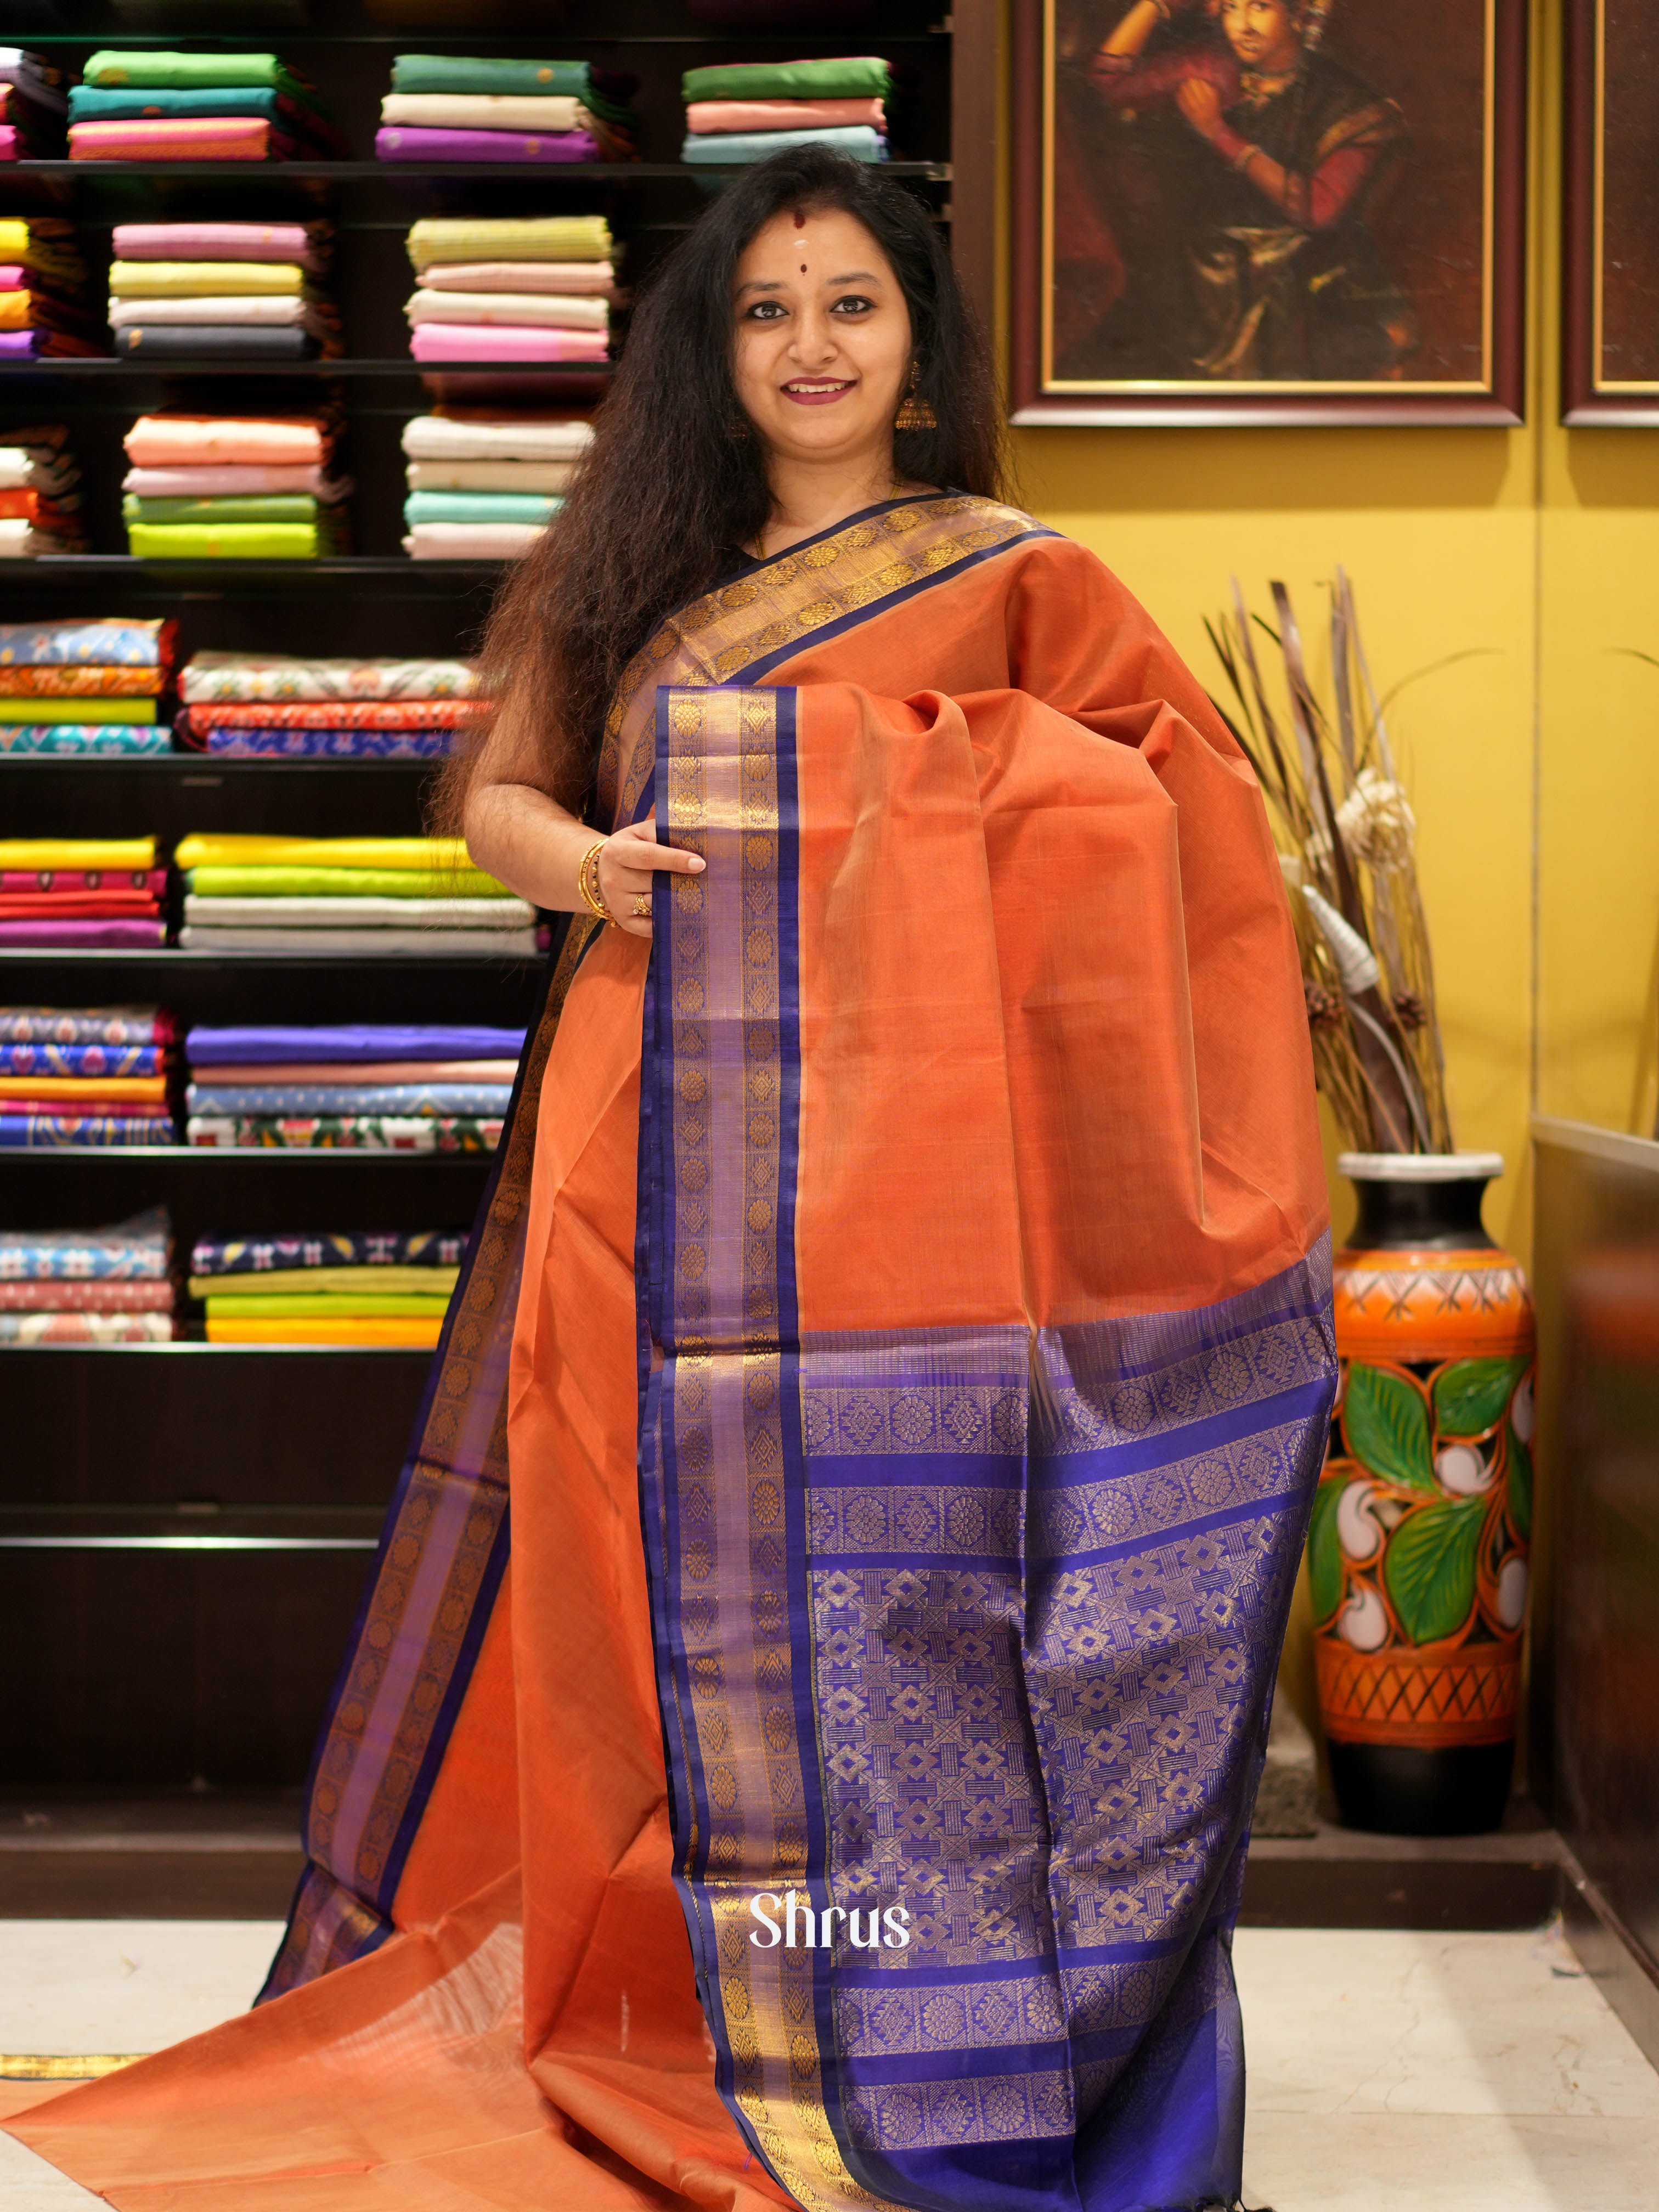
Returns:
(96, 1076)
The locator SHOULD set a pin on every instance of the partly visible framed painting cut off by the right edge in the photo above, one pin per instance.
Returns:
(1611, 178)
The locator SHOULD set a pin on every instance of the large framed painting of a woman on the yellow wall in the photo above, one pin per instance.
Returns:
(1269, 211)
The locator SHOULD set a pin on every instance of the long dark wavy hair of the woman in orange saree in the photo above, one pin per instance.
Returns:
(676, 474)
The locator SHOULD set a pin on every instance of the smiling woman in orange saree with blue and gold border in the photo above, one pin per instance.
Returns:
(904, 1313)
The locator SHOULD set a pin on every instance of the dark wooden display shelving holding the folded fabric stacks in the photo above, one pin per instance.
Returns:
(174, 1642)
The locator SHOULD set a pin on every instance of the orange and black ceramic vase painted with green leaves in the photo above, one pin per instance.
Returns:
(1426, 1510)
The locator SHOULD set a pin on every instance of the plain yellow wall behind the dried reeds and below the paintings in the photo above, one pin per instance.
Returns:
(1536, 766)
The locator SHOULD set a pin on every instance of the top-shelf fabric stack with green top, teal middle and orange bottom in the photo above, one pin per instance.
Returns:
(198, 107)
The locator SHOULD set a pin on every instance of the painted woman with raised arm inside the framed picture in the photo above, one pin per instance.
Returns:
(1260, 262)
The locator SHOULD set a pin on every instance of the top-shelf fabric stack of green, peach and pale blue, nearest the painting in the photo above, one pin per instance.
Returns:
(744, 112)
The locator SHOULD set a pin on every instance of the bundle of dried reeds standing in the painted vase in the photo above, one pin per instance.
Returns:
(1348, 848)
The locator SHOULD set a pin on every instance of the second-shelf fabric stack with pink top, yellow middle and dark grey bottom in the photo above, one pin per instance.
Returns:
(222, 291)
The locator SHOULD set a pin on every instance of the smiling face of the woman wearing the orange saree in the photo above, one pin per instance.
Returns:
(824, 346)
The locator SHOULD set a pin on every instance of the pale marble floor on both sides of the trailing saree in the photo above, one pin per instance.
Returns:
(1388, 2074)
